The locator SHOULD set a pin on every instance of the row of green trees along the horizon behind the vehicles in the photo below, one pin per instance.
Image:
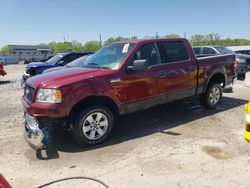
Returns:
(195, 40)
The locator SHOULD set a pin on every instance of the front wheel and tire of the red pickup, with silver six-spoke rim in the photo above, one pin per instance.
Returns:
(93, 125)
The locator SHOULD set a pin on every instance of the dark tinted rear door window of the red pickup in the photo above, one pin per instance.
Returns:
(173, 51)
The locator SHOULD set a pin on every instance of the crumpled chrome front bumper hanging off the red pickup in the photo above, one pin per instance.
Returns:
(32, 133)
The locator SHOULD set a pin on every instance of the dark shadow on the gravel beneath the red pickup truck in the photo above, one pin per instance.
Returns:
(157, 119)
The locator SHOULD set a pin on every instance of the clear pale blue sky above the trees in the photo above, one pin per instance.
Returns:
(43, 21)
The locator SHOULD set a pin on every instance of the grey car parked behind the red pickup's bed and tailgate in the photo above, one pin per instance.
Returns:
(243, 61)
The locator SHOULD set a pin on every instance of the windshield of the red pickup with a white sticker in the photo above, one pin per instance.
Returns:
(109, 57)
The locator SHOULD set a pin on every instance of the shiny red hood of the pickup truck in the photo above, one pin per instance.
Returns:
(64, 77)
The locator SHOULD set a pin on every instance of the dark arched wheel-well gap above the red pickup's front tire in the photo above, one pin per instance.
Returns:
(94, 100)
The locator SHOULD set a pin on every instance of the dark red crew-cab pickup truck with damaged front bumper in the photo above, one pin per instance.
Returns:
(121, 78)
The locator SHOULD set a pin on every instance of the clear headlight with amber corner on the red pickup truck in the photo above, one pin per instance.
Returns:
(49, 96)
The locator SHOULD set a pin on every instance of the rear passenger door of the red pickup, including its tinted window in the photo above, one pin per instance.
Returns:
(181, 70)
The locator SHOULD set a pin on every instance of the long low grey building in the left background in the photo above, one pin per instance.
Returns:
(28, 53)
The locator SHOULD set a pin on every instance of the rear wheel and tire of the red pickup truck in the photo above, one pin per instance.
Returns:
(212, 97)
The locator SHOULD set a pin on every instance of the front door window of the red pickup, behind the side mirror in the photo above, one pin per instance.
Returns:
(148, 52)
